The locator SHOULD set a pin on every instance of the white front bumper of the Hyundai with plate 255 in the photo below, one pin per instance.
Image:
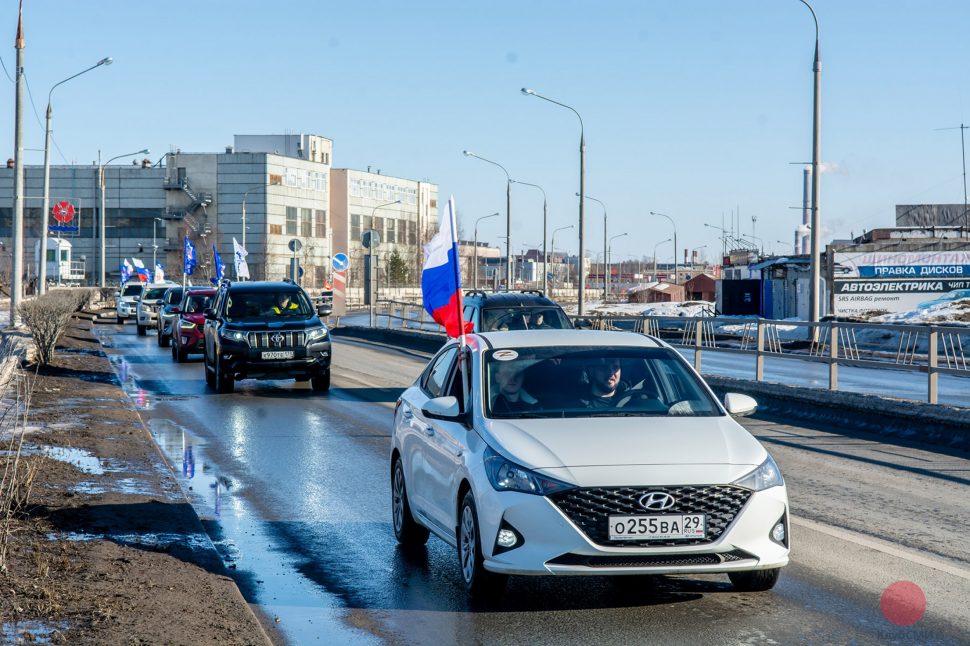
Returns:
(552, 544)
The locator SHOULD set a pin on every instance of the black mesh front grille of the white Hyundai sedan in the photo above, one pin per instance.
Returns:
(590, 509)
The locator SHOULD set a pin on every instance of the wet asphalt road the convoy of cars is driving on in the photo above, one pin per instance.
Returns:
(293, 487)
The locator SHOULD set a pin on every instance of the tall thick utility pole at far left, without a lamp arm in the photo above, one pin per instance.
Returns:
(17, 269)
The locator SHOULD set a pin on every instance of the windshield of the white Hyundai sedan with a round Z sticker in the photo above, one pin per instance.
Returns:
(592, 382)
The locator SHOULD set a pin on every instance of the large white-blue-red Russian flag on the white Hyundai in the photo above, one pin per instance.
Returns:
(441, 278)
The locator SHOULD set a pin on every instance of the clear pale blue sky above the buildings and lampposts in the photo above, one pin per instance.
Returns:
(694, 108)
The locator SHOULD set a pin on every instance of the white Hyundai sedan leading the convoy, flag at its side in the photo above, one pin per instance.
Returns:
(572, 452)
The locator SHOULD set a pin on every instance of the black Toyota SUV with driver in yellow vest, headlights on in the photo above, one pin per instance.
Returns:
(264, 330)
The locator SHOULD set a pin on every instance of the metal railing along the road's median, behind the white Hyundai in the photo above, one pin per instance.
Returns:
(928, 349)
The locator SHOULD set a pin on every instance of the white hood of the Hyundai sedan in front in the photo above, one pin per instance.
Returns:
(554, 444)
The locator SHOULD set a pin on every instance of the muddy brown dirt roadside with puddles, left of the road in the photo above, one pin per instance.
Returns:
(108, 550)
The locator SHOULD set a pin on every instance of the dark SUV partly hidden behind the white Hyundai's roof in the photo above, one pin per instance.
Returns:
(526, 310)
